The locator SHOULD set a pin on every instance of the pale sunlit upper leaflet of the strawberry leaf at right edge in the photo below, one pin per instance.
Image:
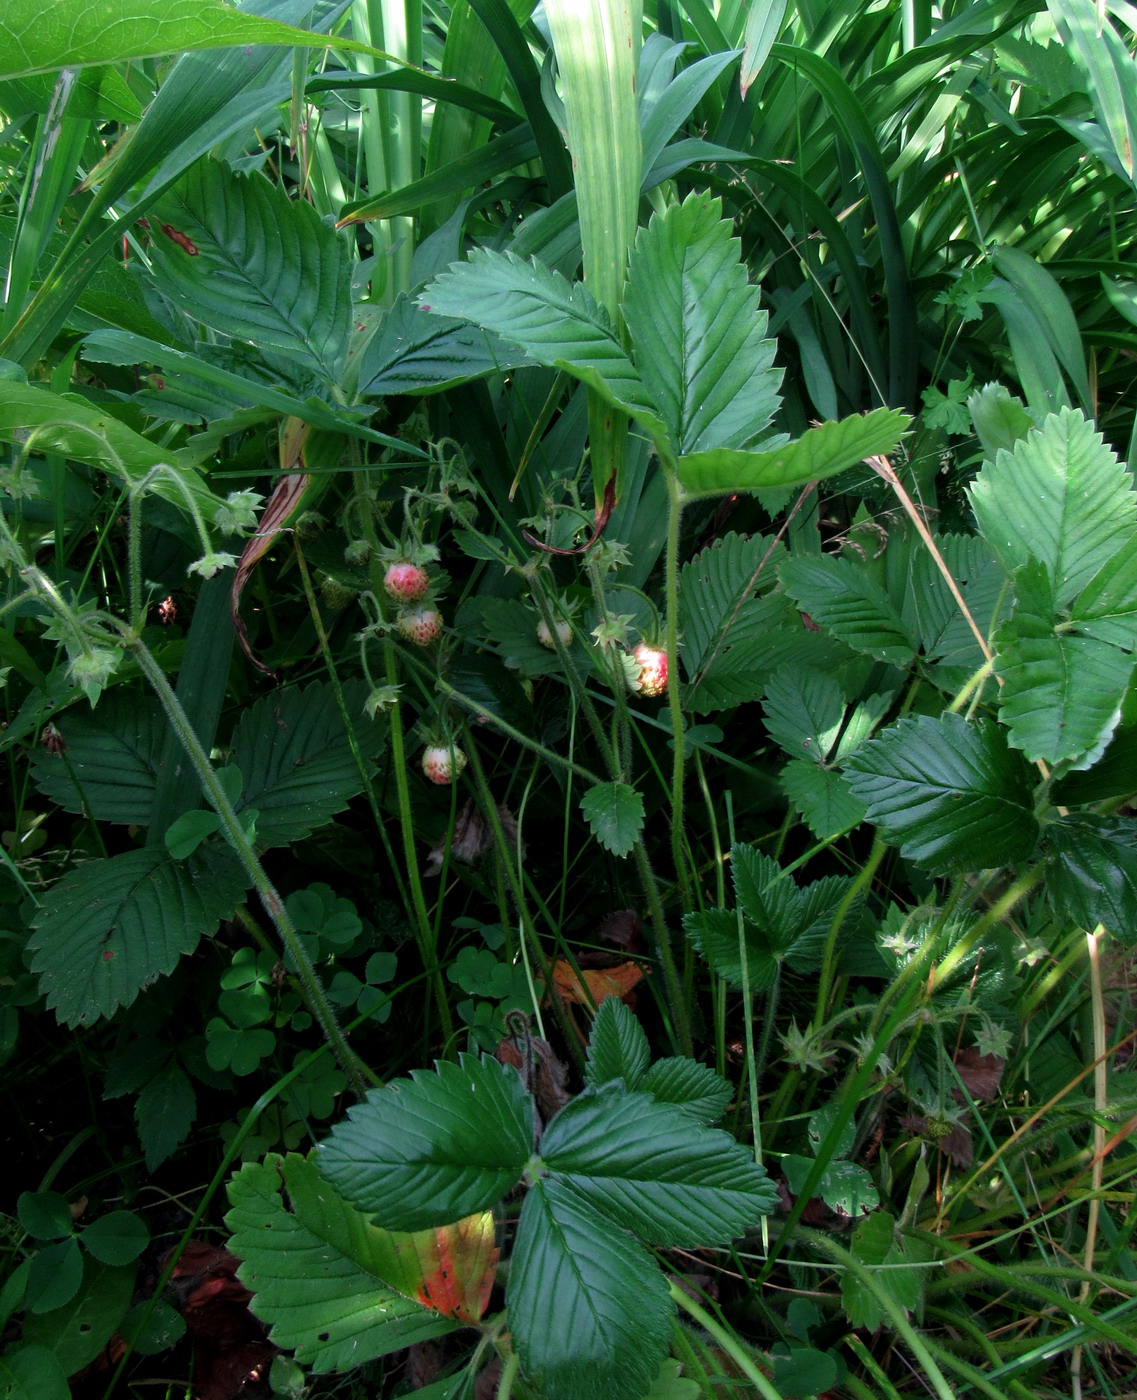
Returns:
(1061, 496)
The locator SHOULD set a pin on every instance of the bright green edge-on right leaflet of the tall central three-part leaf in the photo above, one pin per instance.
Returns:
(818, 453)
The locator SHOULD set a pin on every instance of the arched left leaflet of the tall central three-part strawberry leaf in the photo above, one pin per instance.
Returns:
(554, 321)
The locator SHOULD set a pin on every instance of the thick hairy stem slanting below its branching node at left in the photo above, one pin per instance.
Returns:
(312, 989)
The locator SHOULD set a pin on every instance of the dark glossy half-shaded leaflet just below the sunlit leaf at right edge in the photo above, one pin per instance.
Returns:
(951, 794)
